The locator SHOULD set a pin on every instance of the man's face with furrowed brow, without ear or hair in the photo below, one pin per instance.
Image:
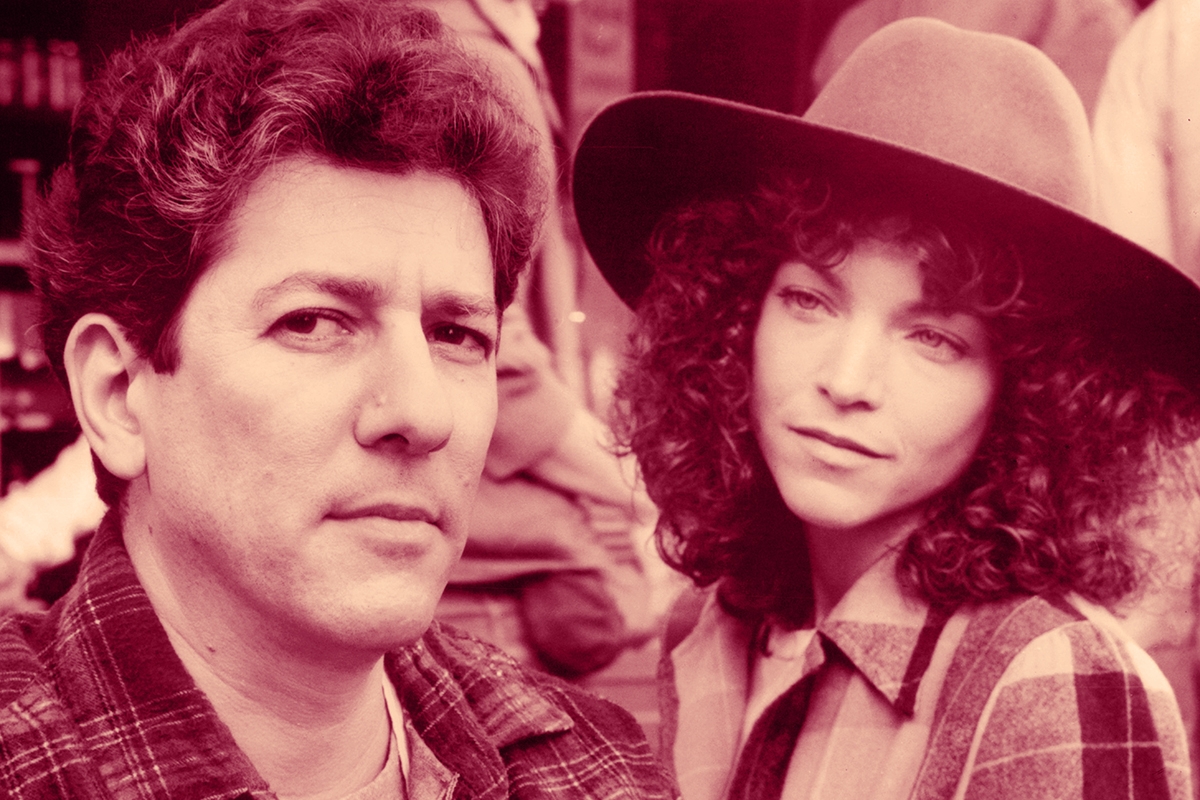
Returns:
(313, 462)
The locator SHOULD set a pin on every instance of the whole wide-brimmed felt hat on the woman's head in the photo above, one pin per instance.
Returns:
(961, 121)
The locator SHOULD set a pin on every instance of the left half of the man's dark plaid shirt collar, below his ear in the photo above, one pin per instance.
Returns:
(131, 697)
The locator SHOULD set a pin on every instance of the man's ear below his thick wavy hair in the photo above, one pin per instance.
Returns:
(101, 365)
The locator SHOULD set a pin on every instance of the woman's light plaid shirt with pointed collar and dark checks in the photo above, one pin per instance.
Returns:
(1034, 697)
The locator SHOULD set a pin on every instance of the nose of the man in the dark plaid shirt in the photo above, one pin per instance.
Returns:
(405, 405)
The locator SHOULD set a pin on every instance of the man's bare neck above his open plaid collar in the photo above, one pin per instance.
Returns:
(315, 727)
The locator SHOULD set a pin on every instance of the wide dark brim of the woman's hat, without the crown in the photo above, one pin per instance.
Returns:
(650, 153)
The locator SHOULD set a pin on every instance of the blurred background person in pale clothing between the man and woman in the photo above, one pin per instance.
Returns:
(556, 569)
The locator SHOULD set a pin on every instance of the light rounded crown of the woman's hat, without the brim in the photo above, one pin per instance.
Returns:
(985, 103)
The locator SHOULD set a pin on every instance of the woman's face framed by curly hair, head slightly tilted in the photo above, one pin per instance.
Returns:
(867, 400)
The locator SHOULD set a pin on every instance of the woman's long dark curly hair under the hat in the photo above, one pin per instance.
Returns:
(1073, 449)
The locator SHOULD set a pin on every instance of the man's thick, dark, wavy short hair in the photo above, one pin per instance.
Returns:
(170, 139)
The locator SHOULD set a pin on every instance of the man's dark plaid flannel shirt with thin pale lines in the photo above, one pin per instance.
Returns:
(94, 703)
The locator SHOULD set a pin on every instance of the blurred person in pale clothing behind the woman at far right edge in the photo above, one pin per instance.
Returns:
(1147, 131)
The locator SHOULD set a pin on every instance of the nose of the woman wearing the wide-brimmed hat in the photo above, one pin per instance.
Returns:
(853, 366)
